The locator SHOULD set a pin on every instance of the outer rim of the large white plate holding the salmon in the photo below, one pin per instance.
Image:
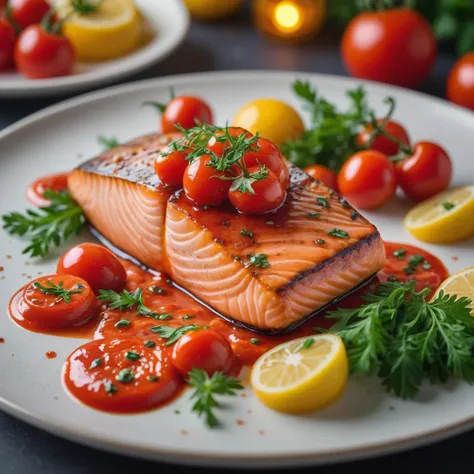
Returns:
(188, 456)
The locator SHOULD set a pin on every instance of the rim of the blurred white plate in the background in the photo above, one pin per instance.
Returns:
(144, 58)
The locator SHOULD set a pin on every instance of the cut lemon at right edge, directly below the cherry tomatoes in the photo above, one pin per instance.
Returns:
(444, 218)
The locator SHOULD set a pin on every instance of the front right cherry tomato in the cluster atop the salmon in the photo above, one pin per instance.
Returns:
(269, 195)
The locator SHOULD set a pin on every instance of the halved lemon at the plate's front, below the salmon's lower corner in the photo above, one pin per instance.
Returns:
(300, 376)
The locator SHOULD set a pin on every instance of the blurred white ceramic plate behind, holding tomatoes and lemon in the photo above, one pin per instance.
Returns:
(168, 19)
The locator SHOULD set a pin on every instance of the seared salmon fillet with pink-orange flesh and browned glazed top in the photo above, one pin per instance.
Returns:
(267, 272)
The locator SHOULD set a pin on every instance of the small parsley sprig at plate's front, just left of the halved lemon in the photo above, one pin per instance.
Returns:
(206, 388)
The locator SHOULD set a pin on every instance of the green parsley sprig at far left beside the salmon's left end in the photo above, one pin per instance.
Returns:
(47, 226)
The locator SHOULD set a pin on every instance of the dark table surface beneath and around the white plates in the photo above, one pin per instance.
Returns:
(224, 46)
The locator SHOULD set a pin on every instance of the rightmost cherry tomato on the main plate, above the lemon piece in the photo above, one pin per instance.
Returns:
(425, 173)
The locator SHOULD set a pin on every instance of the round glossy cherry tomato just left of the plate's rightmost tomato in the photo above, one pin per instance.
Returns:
(368, 179)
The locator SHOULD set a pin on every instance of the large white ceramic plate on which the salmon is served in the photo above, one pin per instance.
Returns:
(365, 422)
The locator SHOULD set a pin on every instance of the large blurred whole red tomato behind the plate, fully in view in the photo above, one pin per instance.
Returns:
(395, 46)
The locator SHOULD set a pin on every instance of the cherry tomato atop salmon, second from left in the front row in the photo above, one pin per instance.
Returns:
(202, 184)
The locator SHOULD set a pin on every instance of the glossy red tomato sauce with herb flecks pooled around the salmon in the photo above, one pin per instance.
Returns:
(127, 368)
